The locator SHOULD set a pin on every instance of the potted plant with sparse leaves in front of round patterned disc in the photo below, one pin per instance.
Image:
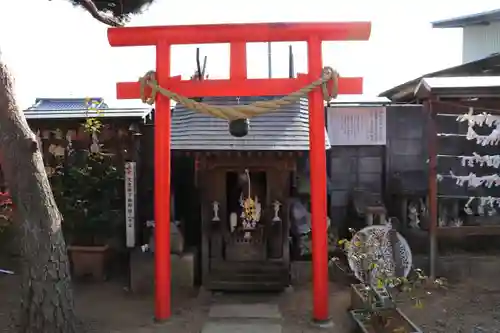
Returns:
(373, 308)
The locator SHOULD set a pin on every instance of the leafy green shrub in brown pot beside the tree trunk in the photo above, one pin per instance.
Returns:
(88, 190)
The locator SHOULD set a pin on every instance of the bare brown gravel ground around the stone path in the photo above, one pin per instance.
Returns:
(469, 307)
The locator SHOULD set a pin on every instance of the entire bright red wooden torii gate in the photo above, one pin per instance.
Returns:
(237, 35)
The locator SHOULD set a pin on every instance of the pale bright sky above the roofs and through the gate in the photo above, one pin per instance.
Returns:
(55, 50)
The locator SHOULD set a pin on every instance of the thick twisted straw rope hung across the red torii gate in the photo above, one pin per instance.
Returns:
(241, 111)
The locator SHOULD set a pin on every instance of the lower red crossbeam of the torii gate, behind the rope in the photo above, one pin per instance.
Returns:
(247, 87)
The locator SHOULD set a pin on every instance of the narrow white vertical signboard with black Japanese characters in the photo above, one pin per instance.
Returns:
(130, 202)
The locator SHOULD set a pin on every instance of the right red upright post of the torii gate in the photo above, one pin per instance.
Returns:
(317, 160)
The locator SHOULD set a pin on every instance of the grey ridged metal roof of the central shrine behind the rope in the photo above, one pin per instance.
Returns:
(287, 129)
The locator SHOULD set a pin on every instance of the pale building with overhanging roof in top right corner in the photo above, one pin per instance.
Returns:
(481, 34)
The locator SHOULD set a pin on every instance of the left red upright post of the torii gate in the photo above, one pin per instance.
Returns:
(162, 188)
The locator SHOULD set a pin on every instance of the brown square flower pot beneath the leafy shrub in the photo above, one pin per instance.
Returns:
(89, 261)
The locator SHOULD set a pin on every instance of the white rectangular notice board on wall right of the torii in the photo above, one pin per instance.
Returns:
(357, 126)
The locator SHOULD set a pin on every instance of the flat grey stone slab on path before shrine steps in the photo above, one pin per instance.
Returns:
(245, 311)
